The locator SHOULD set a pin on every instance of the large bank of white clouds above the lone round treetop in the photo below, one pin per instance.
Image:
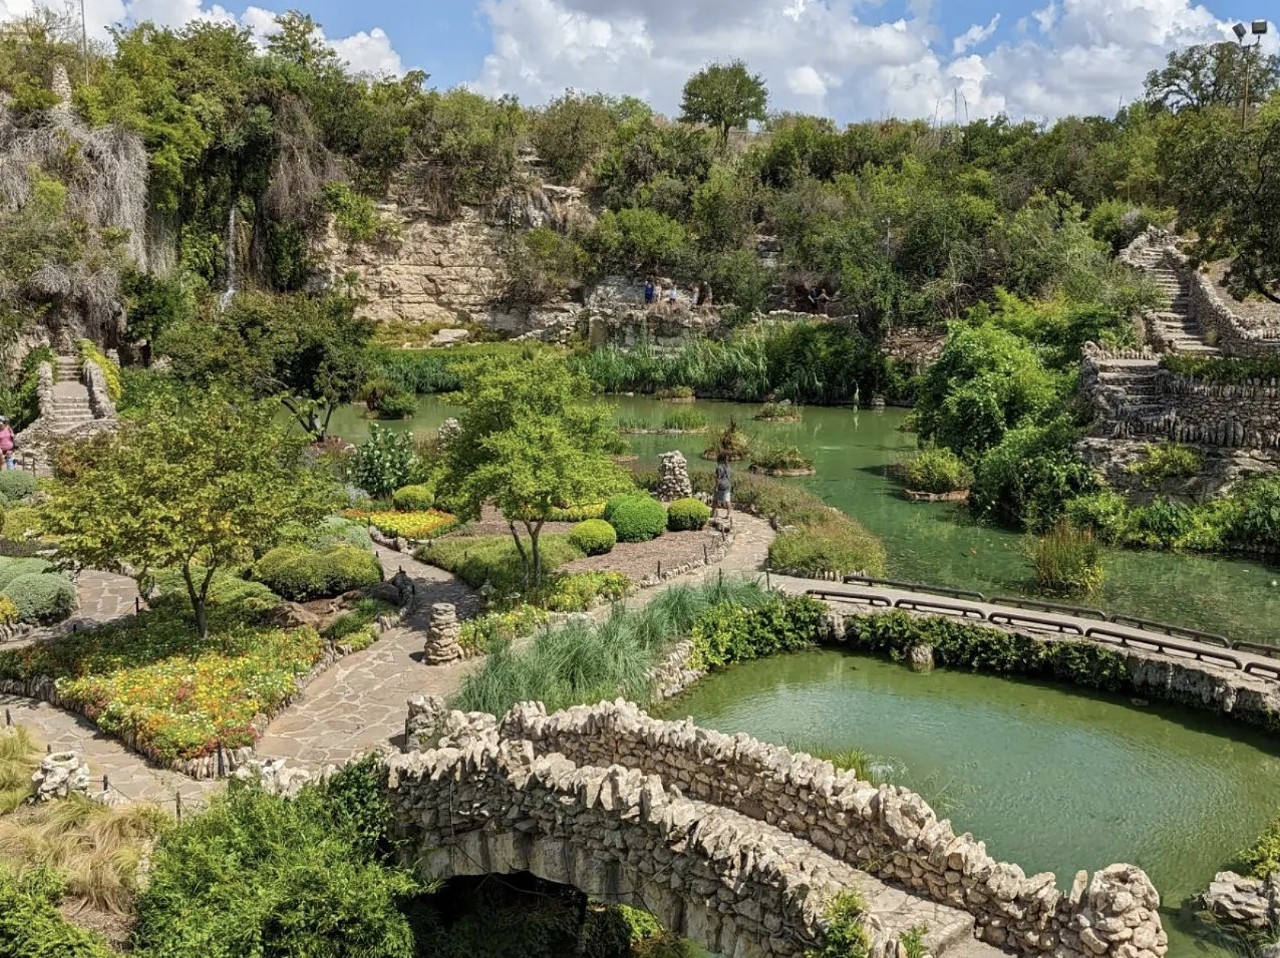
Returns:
(854, 62)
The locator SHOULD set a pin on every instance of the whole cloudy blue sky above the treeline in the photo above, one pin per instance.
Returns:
(849, 60)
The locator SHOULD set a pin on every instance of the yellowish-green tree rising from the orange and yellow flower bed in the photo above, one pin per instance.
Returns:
(198, 485)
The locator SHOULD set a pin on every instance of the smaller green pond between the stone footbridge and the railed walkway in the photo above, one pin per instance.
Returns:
(1049, 778)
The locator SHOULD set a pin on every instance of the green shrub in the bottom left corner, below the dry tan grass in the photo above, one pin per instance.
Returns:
(31, 927)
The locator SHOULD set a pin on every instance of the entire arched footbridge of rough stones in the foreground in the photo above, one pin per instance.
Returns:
(737, 845)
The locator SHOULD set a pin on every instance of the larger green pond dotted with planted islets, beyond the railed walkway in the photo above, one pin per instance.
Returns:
(939, 544)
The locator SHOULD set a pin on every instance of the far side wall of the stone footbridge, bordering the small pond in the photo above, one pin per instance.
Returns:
(888, 832)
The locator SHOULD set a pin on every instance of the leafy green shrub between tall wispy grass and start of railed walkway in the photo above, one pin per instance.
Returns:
(726, 635)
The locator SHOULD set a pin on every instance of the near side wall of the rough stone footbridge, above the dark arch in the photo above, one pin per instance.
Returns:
(707, 874)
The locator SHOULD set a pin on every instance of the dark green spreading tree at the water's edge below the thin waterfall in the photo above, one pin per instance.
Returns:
(308, 352)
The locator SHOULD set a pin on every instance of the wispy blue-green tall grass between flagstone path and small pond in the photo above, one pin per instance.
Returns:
(584, 663)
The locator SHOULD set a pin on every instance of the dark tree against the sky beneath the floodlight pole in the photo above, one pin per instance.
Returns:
(1214, 75)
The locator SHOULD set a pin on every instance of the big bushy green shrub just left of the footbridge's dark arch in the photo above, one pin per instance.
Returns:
(257, 874)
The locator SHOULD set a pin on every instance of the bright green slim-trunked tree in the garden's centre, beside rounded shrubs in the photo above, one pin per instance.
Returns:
(531, 441)
